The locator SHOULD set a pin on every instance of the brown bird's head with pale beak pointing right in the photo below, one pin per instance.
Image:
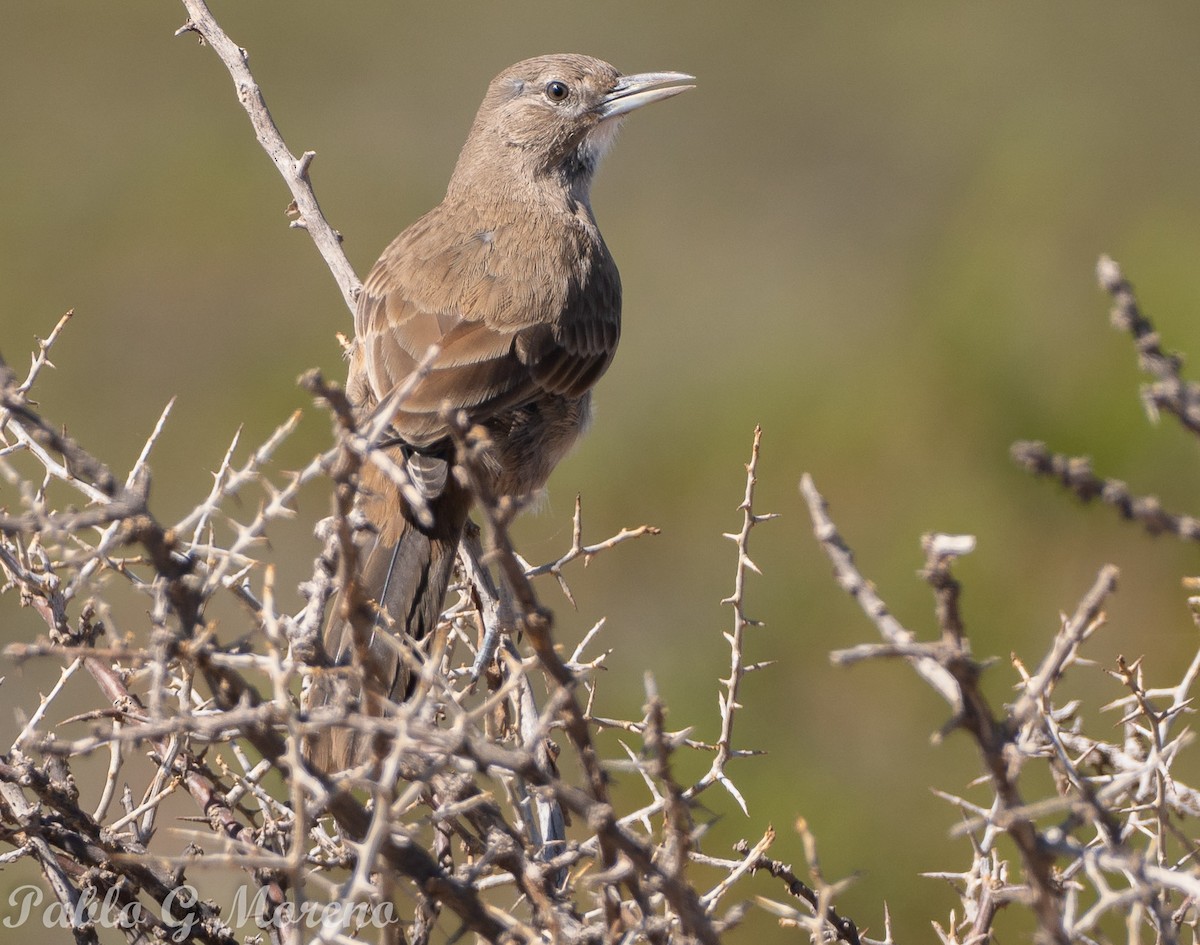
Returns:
(557, 116)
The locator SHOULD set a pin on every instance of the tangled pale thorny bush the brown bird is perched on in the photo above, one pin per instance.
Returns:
(219, 714)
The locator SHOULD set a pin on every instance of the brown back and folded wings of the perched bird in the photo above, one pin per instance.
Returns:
(506, 335)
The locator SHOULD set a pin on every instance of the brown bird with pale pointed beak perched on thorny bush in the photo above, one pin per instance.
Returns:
(511, 279)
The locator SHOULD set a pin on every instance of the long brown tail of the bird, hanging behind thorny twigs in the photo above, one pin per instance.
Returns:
(404, 571)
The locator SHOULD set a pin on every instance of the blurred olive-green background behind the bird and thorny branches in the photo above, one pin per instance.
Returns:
(872, 230)
